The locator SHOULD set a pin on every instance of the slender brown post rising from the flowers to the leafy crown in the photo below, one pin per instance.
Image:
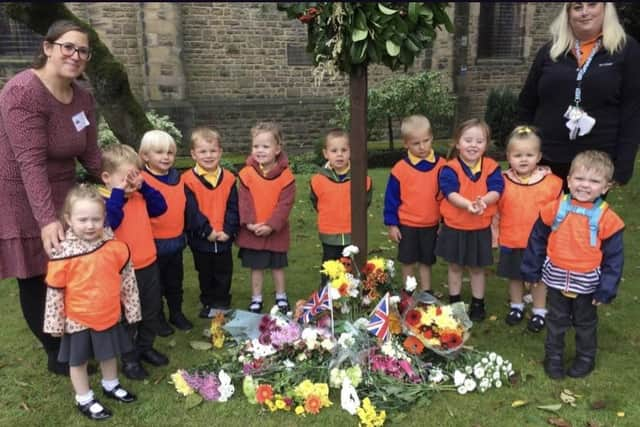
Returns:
(358, 93)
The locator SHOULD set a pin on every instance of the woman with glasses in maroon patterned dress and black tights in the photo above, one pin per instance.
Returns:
(47, 122)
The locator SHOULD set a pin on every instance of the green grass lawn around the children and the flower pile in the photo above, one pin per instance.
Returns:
(32, 396)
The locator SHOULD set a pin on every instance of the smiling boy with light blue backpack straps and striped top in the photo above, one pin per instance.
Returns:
(576, 249)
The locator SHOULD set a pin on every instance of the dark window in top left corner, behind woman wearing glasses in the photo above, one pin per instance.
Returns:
(16, 40)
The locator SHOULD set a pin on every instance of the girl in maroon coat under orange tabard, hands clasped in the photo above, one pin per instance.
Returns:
(266, 193)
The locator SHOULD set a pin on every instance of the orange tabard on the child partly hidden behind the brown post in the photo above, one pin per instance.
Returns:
(334, 204)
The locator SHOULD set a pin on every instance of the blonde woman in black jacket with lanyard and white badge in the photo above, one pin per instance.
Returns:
(583, 89)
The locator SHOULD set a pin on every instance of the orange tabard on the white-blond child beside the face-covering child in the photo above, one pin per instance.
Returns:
(171, 223)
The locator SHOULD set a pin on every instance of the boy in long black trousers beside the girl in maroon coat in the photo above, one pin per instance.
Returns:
(211, 190)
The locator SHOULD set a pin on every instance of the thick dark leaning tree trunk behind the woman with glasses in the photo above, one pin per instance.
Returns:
(108, 77)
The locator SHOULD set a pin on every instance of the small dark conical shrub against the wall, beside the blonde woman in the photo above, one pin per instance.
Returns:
(501, 114)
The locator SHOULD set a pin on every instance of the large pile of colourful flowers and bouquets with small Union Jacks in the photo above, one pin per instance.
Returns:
(381, 349)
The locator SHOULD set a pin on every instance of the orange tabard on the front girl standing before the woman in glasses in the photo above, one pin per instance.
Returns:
(91, 284)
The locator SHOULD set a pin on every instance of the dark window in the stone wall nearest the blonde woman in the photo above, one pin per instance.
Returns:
(500, 30)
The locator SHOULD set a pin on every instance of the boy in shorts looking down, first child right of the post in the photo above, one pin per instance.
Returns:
(412, 202)
